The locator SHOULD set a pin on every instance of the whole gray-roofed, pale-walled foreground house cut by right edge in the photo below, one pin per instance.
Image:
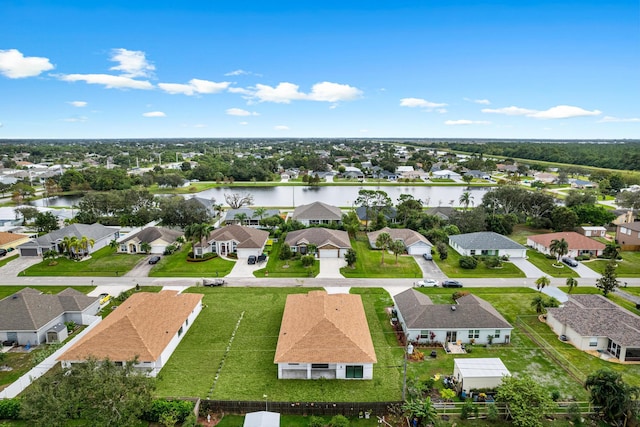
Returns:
(595, 324)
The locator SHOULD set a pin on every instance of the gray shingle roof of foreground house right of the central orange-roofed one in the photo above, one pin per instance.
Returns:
(471, 312)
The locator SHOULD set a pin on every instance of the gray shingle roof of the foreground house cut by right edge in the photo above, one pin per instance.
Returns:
(596, 316)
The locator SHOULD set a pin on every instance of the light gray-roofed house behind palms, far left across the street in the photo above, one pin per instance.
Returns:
(100, 234)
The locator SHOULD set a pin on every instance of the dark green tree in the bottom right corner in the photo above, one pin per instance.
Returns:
(614, 398)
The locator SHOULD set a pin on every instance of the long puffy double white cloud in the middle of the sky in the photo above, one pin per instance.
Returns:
(286, 92)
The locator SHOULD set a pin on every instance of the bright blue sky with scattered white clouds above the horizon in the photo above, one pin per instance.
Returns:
(422, 69)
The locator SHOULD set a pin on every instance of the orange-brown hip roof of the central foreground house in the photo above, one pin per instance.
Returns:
(322, 328)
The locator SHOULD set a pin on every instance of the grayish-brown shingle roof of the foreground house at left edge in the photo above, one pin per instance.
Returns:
(29, 309)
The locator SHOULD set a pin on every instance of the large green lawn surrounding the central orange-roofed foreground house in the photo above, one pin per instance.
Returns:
(248, 371)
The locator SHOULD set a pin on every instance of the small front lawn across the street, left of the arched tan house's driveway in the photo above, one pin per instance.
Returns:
(176, 265)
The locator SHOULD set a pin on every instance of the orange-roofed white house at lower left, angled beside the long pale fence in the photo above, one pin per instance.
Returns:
(147, 325)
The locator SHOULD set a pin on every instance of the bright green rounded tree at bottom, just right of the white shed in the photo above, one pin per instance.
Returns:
(528, 401)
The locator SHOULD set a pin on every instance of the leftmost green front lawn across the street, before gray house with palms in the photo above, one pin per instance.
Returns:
(103, 263)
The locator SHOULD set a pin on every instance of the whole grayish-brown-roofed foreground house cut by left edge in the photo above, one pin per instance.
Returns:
(30, 317)
